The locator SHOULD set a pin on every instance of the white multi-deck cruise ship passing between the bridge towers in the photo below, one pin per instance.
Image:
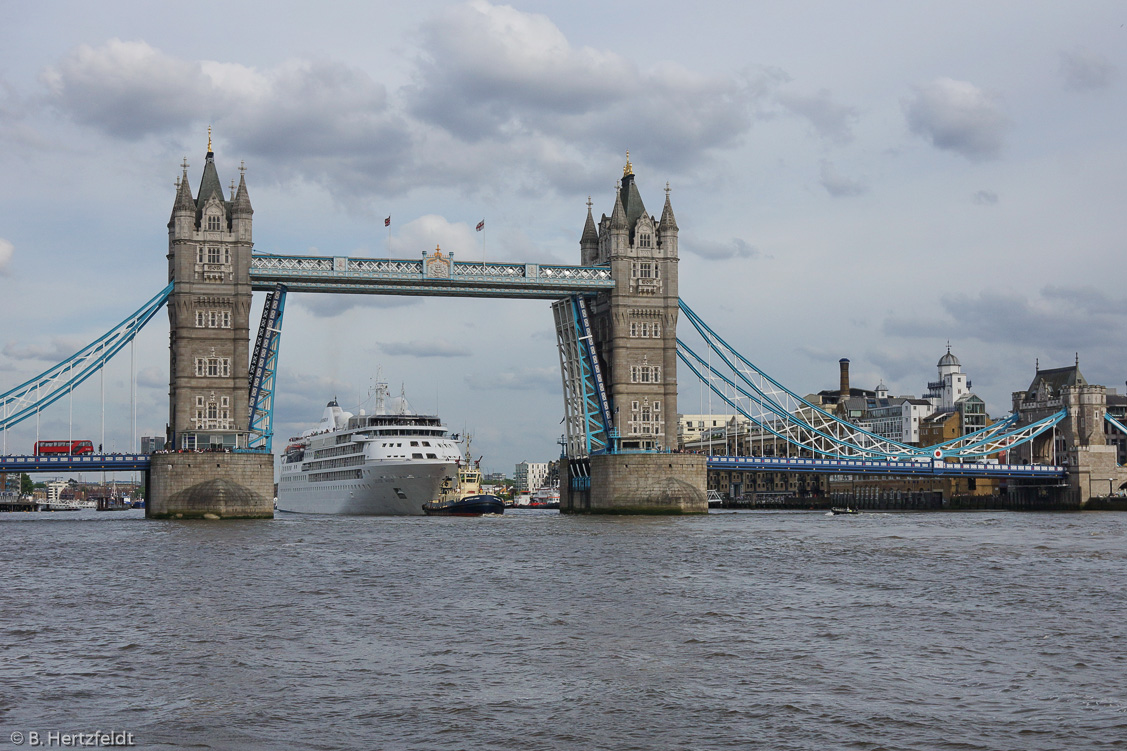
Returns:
(386, 463)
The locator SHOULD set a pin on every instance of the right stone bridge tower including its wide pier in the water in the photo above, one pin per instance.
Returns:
(635, 333)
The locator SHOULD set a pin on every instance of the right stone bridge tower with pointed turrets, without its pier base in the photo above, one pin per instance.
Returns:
(635, 325)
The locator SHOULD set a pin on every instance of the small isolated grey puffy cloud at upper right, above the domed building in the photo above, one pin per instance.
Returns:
(957, 117)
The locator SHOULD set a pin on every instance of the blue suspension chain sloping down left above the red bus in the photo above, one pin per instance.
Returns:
(50, 386)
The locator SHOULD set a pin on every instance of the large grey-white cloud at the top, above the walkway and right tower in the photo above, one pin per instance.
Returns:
(493, 73)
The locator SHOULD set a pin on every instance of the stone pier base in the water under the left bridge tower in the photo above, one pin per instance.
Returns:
(212, 485)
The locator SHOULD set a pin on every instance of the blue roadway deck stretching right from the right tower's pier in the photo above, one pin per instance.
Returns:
(930, 469)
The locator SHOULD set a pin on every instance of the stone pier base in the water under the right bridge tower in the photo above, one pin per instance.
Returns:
(643, 484)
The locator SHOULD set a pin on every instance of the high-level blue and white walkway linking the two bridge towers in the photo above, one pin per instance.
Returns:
(425, 277)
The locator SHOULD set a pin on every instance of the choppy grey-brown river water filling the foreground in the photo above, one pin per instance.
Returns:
(535, 631)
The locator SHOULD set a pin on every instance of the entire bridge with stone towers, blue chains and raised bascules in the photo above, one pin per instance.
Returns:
(617, 316)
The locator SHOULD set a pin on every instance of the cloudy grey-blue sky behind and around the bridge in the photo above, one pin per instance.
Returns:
(867, 181)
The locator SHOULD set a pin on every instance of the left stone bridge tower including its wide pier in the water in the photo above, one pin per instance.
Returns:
(210, 245)
